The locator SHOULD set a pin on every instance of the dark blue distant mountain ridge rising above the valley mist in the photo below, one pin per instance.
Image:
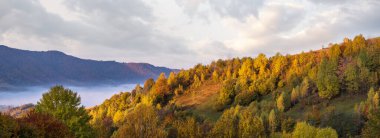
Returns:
(30, 68)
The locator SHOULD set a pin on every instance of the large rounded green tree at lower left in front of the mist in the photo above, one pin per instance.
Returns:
(64, 105)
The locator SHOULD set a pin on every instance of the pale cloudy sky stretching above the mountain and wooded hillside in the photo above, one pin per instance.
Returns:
(182, 33)
